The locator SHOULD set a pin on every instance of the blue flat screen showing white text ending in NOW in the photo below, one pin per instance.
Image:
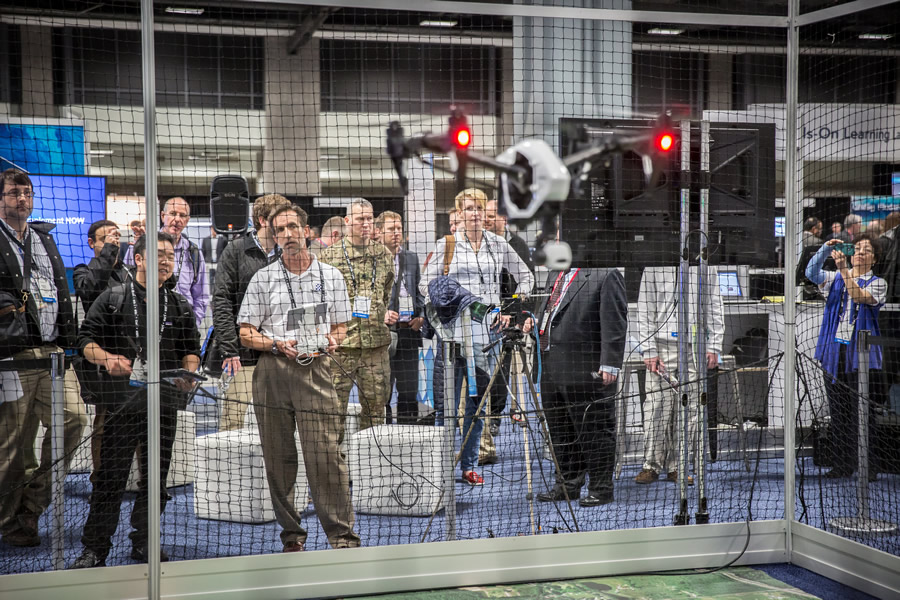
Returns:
(71, 203)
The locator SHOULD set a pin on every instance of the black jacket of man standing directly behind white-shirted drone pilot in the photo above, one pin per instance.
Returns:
(239, 262)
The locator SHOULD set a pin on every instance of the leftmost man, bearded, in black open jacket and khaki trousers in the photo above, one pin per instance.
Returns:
(31, 270)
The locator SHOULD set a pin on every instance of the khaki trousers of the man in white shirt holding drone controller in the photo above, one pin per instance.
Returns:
(290, 397)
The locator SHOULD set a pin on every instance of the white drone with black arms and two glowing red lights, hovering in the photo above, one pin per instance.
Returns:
(532, 182)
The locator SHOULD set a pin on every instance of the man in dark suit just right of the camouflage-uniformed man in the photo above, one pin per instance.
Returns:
(405, 316)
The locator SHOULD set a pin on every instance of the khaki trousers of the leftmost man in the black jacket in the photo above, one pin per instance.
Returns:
(18, 426)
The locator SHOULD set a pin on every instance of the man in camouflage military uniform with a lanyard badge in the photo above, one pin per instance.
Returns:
(368, 269)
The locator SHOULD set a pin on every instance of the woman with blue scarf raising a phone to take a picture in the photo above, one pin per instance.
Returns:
(853, 298)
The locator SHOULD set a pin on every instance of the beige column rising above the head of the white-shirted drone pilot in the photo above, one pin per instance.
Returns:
(291, 152)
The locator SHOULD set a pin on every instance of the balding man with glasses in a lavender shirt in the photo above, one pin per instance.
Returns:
(190, 268)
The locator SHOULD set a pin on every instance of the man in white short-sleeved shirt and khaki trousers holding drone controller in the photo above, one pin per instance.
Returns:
(295, 310)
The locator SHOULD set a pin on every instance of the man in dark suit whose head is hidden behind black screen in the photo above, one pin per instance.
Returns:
(582, 325)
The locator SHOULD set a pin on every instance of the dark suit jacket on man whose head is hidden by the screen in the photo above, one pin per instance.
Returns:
(589, 327)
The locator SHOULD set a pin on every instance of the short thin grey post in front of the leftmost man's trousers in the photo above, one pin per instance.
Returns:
(58, 474)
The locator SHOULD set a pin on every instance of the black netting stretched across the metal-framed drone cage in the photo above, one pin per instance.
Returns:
(642, 387)
